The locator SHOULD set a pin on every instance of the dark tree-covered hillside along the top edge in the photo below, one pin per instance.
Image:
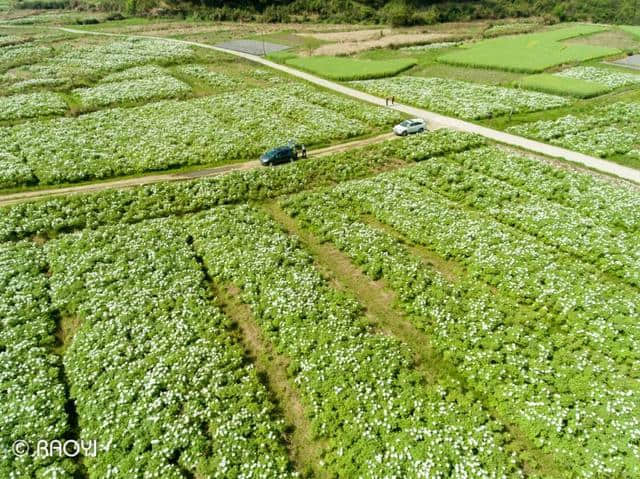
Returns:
(397, 12)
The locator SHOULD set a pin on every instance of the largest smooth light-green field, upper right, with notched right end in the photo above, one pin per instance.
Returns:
(531, 53)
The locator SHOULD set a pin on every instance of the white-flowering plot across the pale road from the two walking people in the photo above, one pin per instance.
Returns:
(460, 98)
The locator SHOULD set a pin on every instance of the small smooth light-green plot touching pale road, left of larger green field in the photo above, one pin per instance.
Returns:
(346, 69)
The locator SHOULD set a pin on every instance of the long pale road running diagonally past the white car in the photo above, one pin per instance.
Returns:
(436, 120)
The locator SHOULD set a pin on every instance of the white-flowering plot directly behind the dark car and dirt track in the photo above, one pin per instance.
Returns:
(169, 134)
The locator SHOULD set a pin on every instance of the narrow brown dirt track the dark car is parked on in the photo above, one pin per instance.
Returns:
(188, 175)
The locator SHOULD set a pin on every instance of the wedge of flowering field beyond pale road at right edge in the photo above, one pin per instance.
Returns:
(609, 131)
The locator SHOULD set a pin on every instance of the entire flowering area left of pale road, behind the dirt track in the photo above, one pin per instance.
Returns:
(161, 105)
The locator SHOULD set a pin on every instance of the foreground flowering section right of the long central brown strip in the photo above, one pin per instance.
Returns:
(535, 322)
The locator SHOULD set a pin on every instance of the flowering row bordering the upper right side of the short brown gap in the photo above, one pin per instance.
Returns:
(518, 264)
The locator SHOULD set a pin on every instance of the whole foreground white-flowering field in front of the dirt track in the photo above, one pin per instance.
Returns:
(519, 283)
